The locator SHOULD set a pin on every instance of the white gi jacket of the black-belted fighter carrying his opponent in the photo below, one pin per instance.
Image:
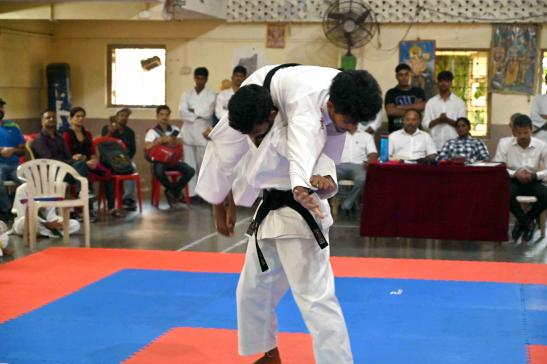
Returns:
(267, 167)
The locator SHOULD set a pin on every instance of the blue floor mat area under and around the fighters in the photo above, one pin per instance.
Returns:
(390, 320)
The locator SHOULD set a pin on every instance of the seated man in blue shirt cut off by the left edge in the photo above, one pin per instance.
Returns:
(12, 146)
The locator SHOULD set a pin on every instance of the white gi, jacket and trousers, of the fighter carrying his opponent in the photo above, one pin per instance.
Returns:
(294, 259)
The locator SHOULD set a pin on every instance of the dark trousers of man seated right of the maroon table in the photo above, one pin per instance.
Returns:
(536, 189)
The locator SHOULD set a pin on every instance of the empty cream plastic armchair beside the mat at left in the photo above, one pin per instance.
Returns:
(46, 188)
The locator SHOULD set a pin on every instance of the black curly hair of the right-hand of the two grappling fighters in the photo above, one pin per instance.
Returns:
(357, 94)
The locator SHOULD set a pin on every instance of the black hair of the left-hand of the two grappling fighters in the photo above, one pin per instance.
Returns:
(248, 107)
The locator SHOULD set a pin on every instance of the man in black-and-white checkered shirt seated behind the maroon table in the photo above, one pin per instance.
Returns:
(464, 146)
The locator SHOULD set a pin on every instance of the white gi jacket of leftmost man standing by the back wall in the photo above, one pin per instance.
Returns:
(195, 122)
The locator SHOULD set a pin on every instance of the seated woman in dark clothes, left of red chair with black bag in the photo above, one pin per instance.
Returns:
(80, 144)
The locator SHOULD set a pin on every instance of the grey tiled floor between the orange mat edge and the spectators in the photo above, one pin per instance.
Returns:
(191, 228)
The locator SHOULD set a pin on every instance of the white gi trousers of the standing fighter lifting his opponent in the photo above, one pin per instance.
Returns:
(304, 267)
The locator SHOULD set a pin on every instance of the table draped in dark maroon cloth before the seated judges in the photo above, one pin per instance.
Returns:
(448, 202)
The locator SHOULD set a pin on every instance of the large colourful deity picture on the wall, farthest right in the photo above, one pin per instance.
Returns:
(514, 58)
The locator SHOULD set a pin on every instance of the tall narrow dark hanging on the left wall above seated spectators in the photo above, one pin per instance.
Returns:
(58, 93)
